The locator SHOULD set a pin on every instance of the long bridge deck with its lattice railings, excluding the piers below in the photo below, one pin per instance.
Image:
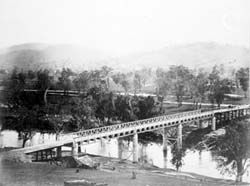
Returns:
(130, 128)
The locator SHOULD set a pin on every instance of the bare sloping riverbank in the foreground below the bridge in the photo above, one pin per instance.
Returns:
(112, 171)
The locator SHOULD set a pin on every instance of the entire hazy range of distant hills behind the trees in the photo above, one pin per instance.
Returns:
(196, 55)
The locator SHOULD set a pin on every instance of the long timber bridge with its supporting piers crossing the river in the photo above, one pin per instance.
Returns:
(74, 140)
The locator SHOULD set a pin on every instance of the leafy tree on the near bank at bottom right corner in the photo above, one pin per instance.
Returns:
(232, 150)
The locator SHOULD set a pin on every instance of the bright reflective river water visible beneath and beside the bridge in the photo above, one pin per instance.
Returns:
(194, 161)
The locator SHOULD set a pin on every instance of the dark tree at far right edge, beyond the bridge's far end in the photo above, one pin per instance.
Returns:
(243, 77)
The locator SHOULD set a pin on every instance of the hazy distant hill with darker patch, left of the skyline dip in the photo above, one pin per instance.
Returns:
(37, 56)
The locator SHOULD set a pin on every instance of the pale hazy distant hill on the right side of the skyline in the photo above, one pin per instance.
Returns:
(196, 55)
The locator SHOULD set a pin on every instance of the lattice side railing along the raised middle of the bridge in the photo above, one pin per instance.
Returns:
(132, 124)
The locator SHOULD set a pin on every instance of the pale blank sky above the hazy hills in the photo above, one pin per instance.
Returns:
(124, 26)
